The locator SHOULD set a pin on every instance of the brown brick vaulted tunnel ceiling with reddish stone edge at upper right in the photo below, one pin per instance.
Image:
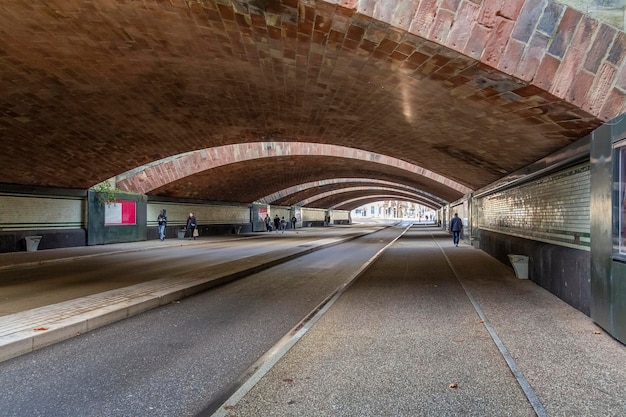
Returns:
(470, 90)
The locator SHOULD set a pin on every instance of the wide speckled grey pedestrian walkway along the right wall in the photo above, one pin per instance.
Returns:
(437, 330)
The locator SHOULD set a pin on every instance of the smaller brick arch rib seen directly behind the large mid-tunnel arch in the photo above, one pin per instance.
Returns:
(292, 195)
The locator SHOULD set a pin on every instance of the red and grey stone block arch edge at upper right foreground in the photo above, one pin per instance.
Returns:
(550, 45)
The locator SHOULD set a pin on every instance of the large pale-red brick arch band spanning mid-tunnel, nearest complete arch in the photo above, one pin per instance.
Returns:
(149, 177)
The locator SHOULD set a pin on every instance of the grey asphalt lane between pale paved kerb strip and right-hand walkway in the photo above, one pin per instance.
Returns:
(178, 359)
